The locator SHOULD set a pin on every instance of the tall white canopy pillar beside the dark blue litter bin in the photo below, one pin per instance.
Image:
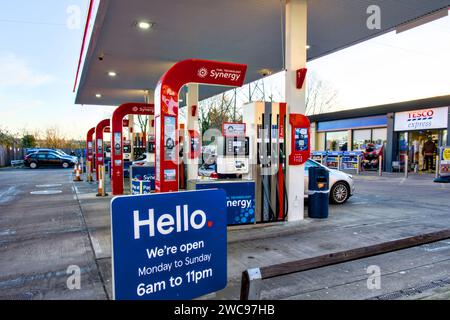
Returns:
(296, 41)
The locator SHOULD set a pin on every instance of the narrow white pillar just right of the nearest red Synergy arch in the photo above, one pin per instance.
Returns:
(191, 124)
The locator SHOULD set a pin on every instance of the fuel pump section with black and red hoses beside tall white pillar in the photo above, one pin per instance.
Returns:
(266, 122)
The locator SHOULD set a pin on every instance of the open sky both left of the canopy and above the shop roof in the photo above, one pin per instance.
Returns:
(40, 48)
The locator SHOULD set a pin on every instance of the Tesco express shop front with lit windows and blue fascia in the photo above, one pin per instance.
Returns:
(416, 129)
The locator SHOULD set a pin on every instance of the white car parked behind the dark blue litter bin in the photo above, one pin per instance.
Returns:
(342, 185)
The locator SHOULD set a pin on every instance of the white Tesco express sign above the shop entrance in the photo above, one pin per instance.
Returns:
(434, 118)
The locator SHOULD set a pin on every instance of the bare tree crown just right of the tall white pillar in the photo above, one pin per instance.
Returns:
(321, 97)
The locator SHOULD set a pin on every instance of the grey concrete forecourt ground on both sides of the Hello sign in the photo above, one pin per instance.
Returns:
(40, 236)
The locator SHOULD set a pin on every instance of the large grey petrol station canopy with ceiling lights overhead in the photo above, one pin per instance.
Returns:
(249, 32)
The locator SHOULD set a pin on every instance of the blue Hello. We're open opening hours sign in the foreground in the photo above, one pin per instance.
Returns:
(169, 246)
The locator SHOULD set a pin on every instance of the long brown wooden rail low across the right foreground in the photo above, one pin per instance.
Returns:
(353, 254)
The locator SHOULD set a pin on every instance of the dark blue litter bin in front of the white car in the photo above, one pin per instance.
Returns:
(318, 195)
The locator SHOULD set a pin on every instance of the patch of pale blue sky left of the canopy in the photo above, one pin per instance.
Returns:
(39, 53)
